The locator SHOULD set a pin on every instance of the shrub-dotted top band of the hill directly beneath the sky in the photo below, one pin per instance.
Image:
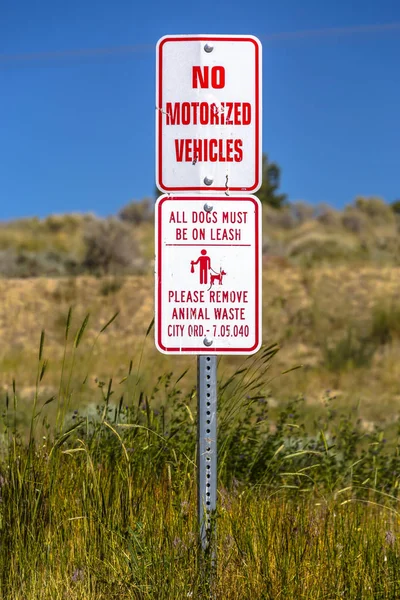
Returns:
(365, 232)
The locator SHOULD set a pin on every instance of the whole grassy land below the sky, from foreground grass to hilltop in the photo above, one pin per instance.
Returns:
(98, 467)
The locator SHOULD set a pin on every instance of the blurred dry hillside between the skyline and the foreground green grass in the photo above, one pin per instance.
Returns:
(331, 300)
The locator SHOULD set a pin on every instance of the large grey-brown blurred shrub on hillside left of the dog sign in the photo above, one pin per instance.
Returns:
(109, 246)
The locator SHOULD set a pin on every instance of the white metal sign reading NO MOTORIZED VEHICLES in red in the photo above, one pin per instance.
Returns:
(208, 113)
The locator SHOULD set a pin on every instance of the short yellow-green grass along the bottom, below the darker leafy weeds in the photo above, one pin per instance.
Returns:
(95, 530)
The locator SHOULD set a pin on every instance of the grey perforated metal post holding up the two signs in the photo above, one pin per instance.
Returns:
(207, 447)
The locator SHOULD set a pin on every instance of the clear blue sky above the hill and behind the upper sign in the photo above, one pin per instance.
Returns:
(77, 129)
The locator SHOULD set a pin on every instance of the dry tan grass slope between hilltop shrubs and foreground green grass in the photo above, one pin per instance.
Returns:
(305, 309)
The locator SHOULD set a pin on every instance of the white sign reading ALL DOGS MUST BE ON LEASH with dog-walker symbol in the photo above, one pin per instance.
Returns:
(208, 284)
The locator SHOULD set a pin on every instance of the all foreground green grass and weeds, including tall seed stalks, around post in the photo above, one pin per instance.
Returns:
(100, 502)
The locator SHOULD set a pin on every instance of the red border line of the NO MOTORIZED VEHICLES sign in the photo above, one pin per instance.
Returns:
(257, 181)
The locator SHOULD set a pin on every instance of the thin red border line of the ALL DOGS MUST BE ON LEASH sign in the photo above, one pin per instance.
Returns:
(159, 283)
